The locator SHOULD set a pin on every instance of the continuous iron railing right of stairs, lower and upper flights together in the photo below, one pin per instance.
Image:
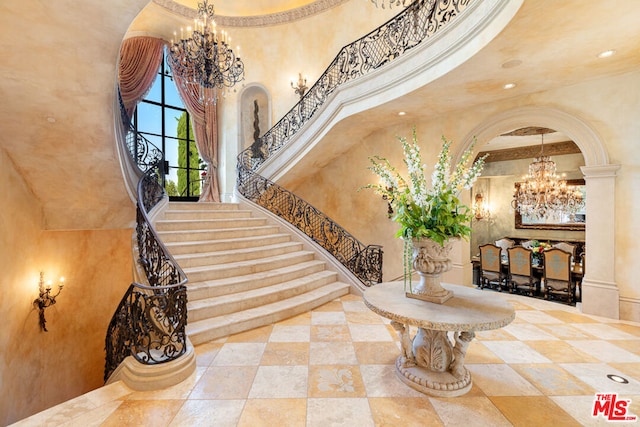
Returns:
(405, 31)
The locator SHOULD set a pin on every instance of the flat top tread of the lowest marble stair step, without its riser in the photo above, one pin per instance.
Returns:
(245, 315)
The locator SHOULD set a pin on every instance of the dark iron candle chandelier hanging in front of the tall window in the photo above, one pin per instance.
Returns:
(203, 56)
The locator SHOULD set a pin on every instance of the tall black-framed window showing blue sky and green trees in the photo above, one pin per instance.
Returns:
(162, 118)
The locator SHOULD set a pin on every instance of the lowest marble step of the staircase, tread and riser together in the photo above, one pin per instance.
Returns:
(209, 329)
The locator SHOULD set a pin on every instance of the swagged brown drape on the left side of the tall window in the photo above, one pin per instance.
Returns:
(140, 59)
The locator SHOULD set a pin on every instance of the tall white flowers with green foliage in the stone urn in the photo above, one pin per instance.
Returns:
(436, 212)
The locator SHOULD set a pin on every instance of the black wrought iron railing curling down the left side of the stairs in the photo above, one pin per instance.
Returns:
(149, 323)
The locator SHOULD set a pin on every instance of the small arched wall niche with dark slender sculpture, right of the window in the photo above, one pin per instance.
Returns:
(254, 114)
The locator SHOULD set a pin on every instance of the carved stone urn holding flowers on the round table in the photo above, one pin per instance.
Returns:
(430, 260)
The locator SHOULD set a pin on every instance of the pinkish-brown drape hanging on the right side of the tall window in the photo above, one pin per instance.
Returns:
(204, 120)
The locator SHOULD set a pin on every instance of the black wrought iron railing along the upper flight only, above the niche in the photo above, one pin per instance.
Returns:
(408, 29)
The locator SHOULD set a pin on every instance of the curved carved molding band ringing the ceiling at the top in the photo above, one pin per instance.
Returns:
(301, 12)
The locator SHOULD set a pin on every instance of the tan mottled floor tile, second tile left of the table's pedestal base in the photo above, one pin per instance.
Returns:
(343, 381)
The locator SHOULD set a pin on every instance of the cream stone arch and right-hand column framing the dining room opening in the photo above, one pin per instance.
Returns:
(600, 294)
